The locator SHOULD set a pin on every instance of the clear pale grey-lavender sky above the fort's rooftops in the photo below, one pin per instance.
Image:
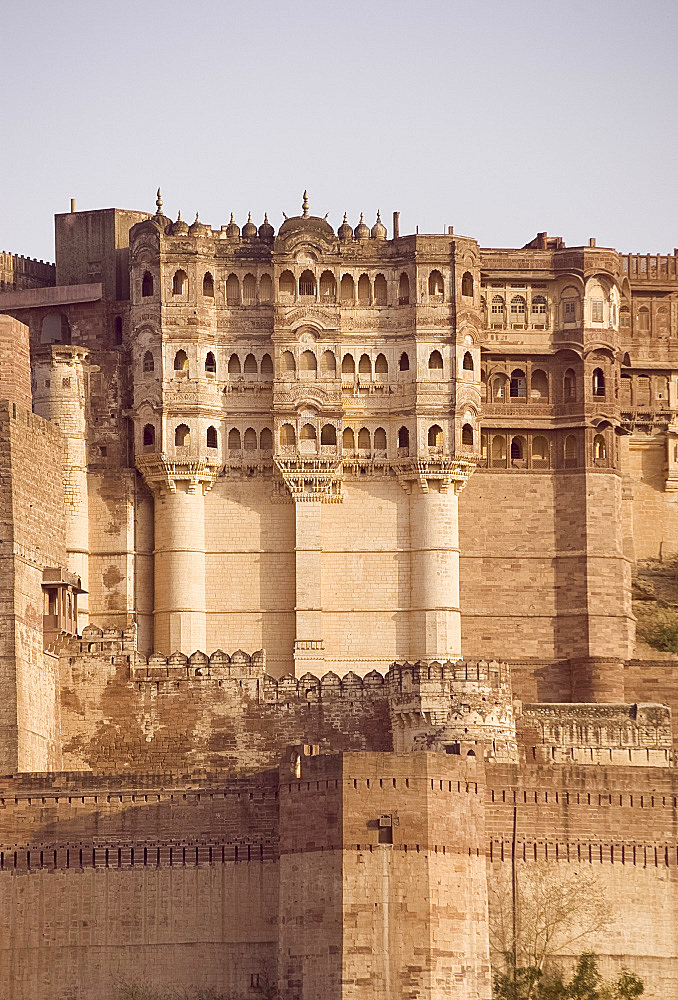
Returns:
(500, 118)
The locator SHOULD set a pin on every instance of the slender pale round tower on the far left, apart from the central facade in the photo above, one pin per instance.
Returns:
(60, 398)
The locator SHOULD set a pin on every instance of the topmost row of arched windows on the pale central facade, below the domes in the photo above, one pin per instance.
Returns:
(367, 291)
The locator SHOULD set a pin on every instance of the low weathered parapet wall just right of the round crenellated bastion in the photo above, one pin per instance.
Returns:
(638, 734)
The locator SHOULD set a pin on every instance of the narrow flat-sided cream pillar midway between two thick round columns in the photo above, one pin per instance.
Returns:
(308, 642)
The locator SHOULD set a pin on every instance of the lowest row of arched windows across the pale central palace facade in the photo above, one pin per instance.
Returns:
(362, 440)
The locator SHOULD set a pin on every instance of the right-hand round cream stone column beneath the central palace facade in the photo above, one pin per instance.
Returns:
(435, 621)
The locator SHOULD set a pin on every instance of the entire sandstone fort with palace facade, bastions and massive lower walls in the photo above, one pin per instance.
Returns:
(317, 553)
